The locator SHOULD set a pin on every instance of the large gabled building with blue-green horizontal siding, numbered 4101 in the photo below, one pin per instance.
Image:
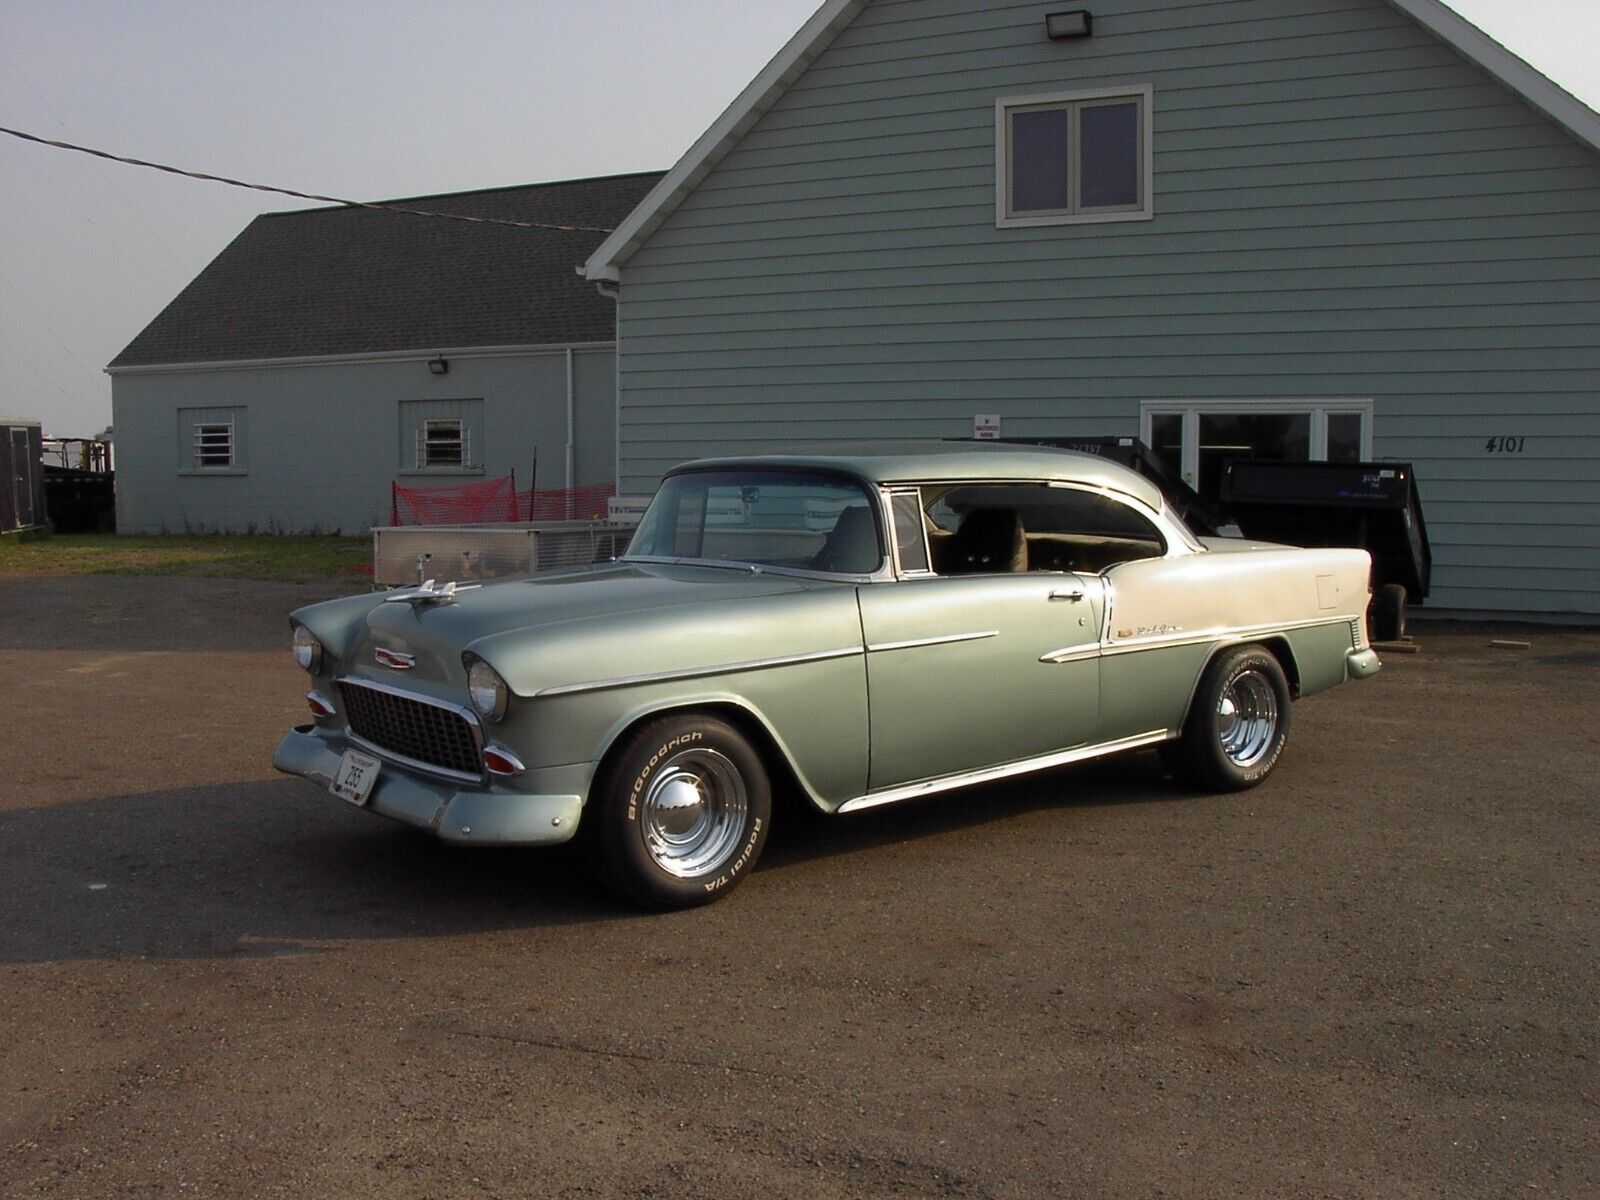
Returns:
(1321, 230)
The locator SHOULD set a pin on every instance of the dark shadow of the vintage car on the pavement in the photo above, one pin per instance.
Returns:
(271, 868)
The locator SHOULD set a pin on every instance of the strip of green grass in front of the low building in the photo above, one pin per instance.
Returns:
(204, 556)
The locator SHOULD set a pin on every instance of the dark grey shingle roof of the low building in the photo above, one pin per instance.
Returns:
(356, 281)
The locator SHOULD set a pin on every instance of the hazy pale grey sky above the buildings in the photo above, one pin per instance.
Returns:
(367, 100)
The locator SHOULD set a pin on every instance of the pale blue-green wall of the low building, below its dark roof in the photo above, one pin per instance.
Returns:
(321, 446)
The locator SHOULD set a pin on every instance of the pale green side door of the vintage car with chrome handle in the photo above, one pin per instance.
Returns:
(977, 671)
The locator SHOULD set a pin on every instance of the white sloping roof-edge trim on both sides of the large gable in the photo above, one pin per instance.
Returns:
(818, 34)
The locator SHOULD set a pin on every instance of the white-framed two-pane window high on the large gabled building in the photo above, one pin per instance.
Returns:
(1073, 158)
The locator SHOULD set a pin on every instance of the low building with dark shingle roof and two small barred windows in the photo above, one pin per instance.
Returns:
(329, 354)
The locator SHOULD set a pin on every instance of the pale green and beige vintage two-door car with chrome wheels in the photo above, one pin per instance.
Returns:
(857, 628)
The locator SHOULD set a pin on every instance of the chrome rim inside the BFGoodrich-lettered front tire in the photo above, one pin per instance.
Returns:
(694, 814)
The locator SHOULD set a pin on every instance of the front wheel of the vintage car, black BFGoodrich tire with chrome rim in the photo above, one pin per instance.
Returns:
(682, 812)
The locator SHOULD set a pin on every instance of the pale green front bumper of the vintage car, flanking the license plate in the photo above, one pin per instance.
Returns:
(466, 817)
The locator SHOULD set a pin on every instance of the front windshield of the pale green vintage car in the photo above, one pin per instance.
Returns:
(786, 519)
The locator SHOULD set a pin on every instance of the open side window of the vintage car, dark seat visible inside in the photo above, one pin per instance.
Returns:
(1034, 527)
